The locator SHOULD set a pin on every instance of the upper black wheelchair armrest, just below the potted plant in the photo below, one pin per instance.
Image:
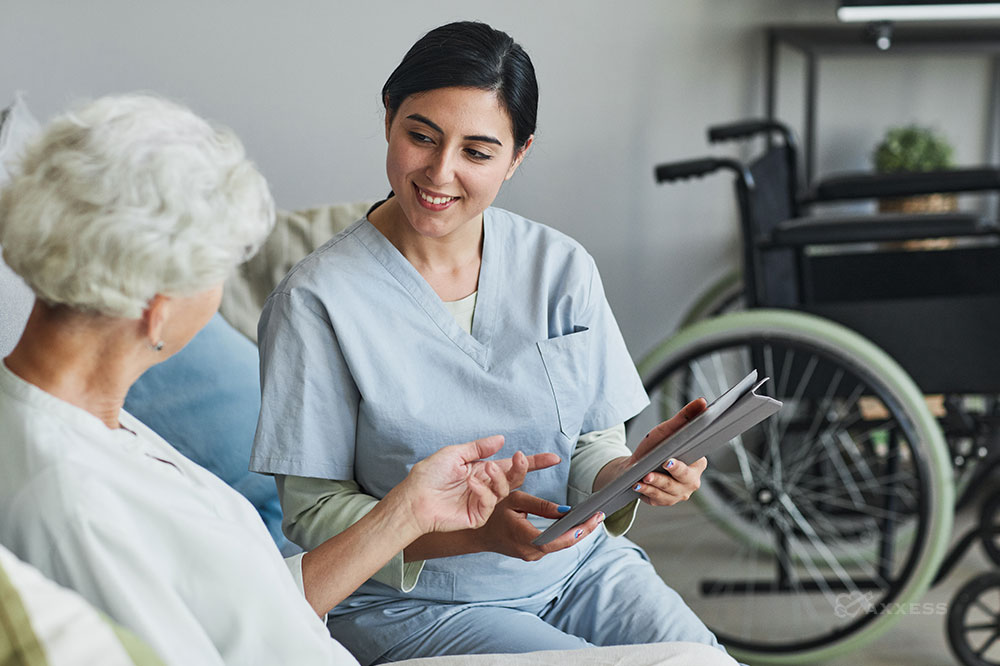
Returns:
(872, 185)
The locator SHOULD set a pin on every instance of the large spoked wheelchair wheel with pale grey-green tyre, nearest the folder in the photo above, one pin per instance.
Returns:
(818, 520)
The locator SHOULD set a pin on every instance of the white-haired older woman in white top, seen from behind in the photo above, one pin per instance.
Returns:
(125, 217)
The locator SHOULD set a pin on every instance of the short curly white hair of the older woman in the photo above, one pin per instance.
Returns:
(129, 196)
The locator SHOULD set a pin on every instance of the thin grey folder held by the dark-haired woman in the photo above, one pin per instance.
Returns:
(732, 413)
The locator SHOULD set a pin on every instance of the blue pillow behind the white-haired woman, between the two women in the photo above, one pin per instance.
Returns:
(204, 400)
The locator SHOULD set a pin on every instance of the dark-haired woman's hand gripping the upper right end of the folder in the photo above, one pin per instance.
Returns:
(677, 481)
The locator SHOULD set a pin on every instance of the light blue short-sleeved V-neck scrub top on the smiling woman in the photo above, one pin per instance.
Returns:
(364, 372)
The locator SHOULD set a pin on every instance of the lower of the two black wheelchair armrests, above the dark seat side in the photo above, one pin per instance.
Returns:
(827, 230)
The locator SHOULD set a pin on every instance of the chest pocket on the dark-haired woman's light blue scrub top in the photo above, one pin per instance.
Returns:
(567, 364)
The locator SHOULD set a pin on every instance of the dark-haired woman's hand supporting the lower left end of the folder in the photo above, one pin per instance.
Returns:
(509, 532)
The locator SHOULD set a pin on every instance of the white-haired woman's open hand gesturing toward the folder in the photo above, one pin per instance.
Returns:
(456, 489)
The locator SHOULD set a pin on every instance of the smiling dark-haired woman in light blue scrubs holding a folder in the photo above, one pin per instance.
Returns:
(438, 318)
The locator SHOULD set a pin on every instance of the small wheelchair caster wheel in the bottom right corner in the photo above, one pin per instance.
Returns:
(974, 621)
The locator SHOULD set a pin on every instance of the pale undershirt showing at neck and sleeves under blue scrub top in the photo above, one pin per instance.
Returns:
(316, 509)
